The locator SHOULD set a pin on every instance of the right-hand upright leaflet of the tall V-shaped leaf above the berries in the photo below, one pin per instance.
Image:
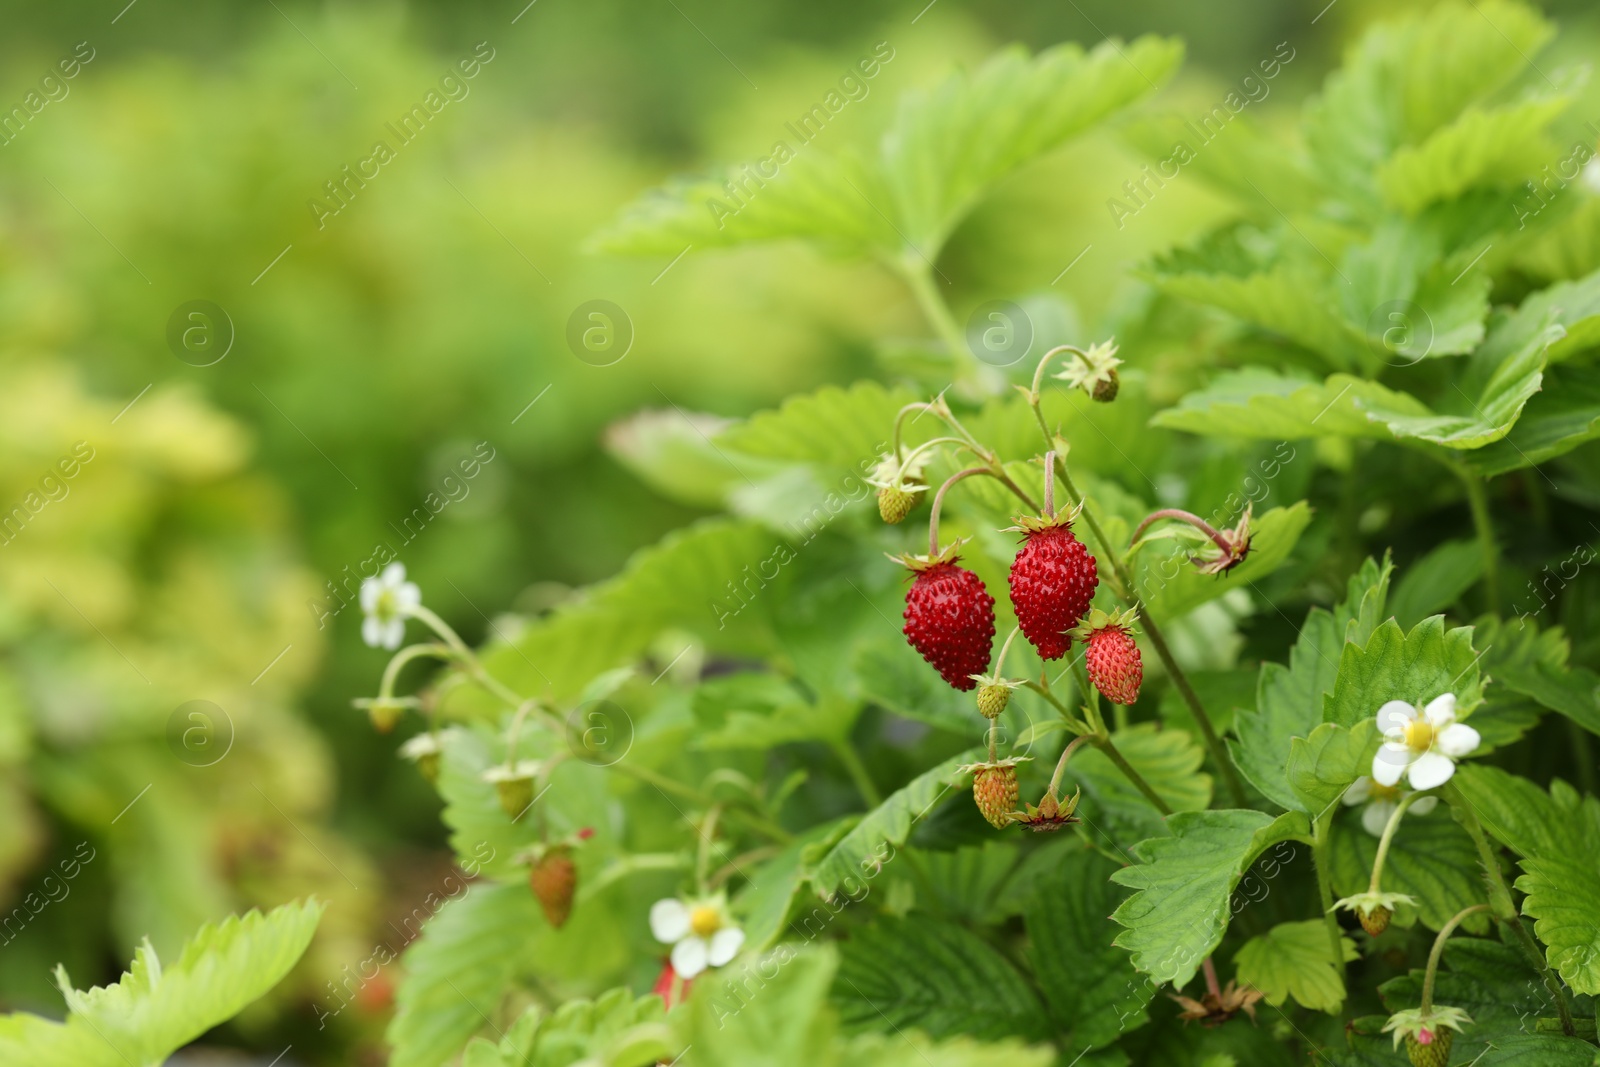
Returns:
(948, 148)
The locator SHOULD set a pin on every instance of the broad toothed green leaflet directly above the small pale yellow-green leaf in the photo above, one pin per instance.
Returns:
(1182, 908)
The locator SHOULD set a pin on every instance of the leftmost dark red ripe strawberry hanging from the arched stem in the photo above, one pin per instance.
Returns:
(951, 621)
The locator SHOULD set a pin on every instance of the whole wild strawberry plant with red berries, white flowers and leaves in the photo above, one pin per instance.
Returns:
(1076, 709)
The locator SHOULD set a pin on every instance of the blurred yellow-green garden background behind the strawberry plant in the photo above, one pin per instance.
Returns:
(186, 559)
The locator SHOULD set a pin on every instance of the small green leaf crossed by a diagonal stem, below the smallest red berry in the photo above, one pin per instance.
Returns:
(1167, 759)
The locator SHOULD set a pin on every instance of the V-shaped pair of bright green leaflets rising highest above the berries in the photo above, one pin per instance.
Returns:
(943, 153)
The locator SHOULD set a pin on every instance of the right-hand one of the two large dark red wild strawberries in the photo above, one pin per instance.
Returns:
(1052, 585)
